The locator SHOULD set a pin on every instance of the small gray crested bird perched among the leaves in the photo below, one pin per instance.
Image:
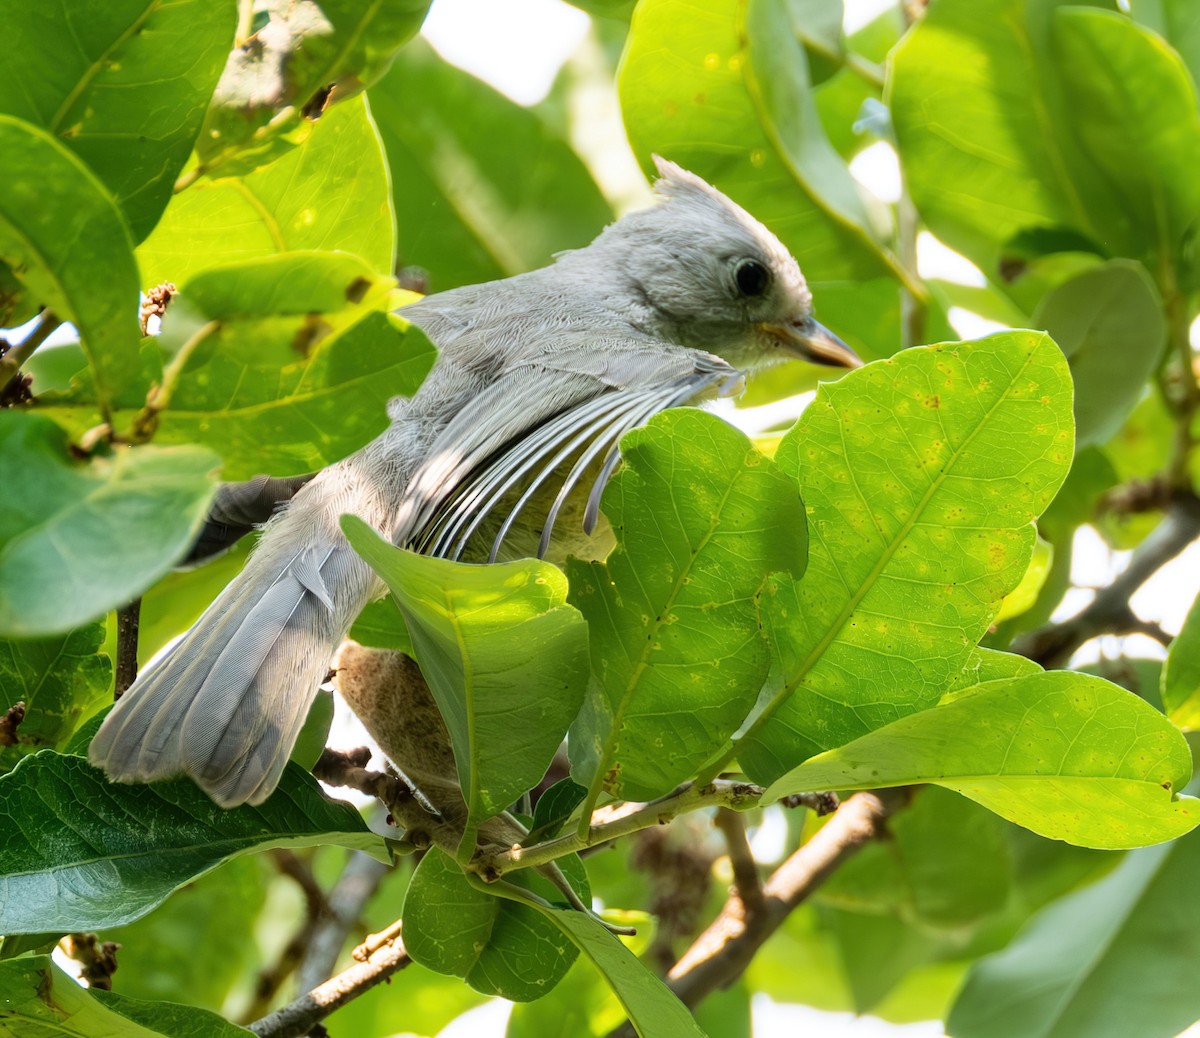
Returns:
(538, 377)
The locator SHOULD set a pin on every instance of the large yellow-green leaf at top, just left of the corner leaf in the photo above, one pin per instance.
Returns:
(985, 137)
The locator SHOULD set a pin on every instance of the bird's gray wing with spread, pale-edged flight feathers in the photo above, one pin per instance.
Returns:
(567, 411)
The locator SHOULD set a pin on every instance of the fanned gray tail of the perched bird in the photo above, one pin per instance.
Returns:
(229, 701)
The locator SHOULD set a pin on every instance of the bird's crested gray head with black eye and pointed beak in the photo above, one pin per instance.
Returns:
(707, 275)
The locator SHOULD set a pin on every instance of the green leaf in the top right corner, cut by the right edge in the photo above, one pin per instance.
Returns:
(1130, 94)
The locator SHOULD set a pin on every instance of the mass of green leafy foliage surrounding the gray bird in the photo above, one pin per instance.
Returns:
(833, 615)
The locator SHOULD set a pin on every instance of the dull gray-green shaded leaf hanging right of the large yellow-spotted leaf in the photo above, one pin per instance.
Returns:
(1109, 322)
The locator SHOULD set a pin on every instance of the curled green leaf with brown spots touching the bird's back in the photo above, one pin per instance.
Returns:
(299, 368)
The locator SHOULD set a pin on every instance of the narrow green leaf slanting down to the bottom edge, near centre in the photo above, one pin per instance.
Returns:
(652, 1009)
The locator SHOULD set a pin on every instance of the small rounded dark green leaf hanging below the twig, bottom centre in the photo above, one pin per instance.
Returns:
(496, 946)
